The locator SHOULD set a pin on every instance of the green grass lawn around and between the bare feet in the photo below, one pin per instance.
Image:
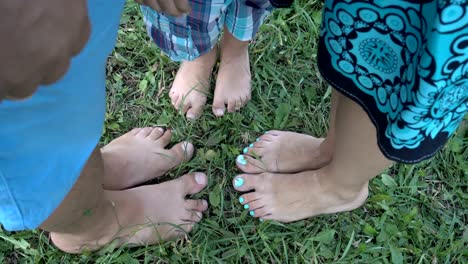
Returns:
(417, 216)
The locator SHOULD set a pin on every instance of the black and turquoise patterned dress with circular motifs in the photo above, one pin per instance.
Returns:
(405, 63)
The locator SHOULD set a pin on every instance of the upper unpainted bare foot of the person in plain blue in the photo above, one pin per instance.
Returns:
(141, 155)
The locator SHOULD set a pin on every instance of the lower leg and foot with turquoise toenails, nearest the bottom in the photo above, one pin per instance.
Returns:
(340, 186)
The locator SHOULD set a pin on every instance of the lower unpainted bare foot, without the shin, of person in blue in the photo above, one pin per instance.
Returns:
(142, 216)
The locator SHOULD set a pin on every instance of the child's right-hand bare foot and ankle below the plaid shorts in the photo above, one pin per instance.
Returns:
(233, 81)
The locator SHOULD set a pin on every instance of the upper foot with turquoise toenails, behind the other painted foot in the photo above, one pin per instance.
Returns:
(285, 152)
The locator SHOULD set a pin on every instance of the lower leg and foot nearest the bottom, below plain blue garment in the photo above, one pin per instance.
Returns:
(90, 217)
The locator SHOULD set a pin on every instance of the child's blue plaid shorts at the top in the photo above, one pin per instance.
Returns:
(188, 37)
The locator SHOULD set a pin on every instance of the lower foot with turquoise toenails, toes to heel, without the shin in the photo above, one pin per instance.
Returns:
(292, 197)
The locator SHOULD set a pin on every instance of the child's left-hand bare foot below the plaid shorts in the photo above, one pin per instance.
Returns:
(192, 83)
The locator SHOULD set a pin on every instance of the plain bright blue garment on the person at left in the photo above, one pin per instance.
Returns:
(46, 140)
